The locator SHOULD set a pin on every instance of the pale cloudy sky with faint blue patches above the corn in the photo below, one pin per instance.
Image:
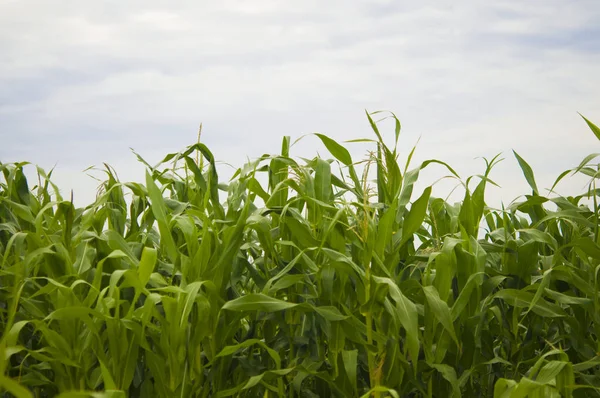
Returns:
(82, 82)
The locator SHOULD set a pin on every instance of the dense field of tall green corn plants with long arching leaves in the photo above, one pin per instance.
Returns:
(323, 277)
